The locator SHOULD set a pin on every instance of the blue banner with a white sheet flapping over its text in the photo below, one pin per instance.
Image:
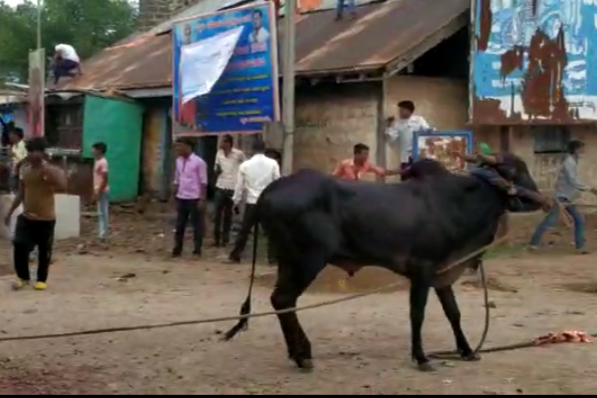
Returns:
(225, 72)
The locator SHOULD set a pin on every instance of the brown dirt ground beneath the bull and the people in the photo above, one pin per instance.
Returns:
(361, 347)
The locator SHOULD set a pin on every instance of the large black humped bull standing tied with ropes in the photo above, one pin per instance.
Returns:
(414, 229)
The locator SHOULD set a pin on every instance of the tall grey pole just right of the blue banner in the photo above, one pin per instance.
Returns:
(288, 85)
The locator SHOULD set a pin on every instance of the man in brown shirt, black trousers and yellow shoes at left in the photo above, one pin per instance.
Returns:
(35, 226)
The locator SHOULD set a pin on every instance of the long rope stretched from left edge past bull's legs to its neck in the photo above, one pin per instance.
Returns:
(51, 336)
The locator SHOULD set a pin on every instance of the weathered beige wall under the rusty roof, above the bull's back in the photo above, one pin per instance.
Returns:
(332, 119)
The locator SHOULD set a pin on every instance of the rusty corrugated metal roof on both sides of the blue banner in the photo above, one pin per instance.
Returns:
(382, 32)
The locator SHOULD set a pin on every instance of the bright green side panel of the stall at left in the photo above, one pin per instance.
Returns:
(118, 123)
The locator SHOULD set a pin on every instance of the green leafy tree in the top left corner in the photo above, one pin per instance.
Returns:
(87, 25)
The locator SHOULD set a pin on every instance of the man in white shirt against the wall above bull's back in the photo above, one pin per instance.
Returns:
(403, 129)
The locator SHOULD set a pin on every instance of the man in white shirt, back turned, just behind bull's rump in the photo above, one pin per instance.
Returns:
(254, 176)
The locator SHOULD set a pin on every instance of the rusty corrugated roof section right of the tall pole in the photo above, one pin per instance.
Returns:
(382, 33)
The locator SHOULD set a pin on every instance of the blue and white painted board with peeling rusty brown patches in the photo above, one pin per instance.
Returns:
(534, 61)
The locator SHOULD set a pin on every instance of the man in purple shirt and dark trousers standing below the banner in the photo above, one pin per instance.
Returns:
(190, 187)
